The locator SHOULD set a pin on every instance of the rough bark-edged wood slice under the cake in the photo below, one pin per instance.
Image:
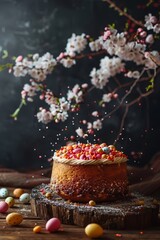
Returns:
(135, 212)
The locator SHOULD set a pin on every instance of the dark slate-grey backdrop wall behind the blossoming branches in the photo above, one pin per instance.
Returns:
(30, 26)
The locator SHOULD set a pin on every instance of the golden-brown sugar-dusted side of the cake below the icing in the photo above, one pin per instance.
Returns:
(83, 183)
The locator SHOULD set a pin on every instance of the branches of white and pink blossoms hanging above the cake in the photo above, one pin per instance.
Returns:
(127, 59)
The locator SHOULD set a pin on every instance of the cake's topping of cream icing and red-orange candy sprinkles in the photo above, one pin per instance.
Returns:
(82, 151)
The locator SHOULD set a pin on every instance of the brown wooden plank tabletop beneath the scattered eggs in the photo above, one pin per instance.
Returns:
(25, 230)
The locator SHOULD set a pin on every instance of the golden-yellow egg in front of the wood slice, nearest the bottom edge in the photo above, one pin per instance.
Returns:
(93, 230)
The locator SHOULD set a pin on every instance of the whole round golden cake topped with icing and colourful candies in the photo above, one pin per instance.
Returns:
(83, 172)
